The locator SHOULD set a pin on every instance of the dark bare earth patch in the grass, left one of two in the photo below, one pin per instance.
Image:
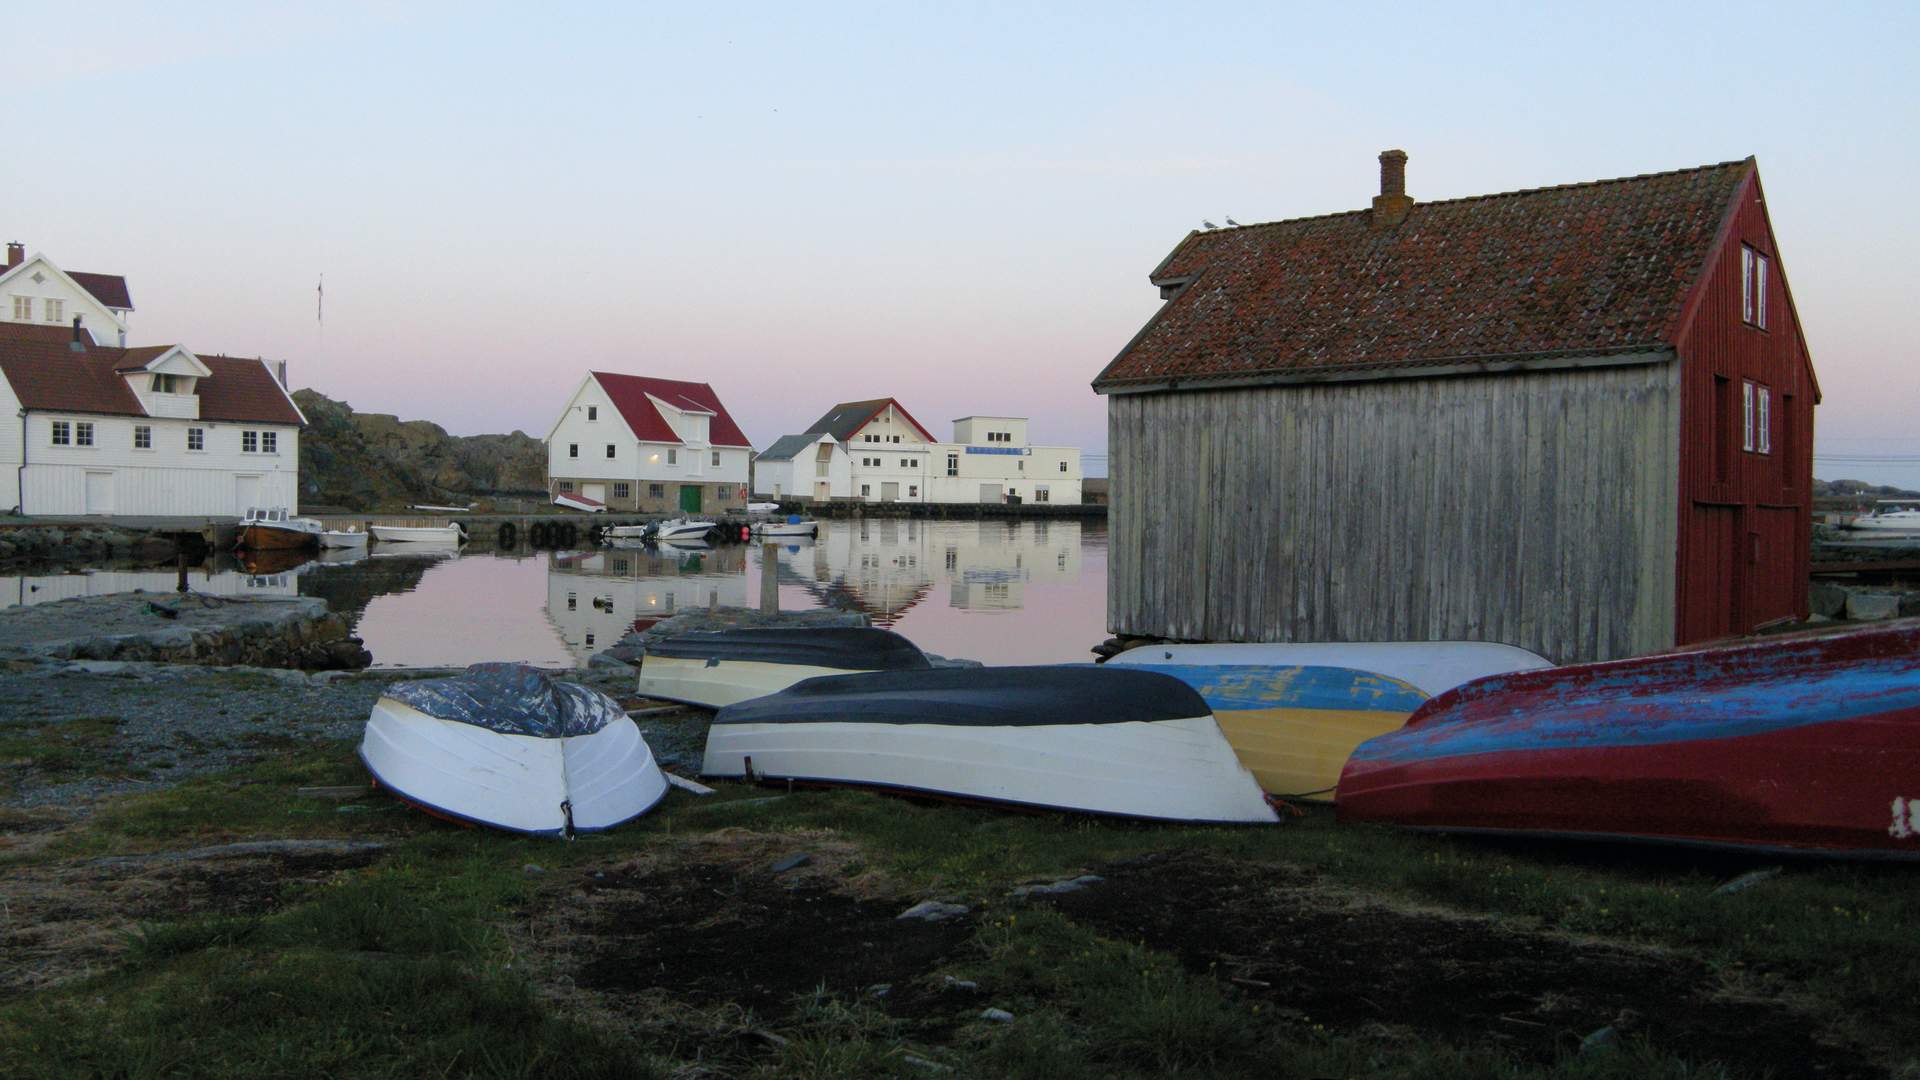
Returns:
(719, 935)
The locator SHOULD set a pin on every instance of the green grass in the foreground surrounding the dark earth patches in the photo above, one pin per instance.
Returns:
(408, 968)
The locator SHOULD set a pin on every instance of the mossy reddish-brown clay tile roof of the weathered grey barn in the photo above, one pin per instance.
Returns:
(1550, 272)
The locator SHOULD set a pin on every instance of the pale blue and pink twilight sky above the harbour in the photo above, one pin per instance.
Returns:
(953, 205)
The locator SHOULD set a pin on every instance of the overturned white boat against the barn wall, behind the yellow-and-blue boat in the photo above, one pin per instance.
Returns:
(1433, 668)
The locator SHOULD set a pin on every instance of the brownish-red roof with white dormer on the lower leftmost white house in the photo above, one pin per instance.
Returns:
(47, 376)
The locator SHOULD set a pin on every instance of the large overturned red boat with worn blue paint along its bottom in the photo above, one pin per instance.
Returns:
(1804, 747)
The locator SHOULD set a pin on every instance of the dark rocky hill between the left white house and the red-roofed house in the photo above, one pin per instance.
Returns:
(381, 462)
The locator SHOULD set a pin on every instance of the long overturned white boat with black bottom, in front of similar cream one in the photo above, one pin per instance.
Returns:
(1072, 739)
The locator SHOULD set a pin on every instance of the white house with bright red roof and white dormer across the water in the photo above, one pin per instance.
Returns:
(648, 445)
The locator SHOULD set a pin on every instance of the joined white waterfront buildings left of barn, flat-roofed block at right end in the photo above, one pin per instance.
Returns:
(896, 458)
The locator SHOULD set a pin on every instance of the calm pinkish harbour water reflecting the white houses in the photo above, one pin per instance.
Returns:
(992, 591)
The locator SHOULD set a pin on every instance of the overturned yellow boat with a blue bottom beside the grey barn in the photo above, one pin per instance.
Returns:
(1295, 727)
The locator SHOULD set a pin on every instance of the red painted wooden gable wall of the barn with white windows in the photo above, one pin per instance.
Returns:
(1746, 518)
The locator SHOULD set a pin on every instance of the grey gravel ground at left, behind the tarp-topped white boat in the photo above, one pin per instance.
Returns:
(153, 725)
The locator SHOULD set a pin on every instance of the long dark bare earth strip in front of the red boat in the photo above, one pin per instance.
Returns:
(1351, 966)
